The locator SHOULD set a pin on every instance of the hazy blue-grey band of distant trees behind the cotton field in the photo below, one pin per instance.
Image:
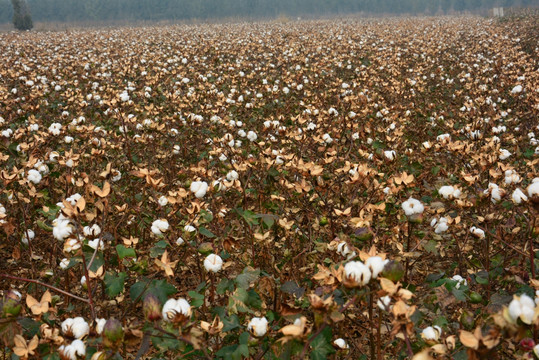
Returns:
(111, 11)
